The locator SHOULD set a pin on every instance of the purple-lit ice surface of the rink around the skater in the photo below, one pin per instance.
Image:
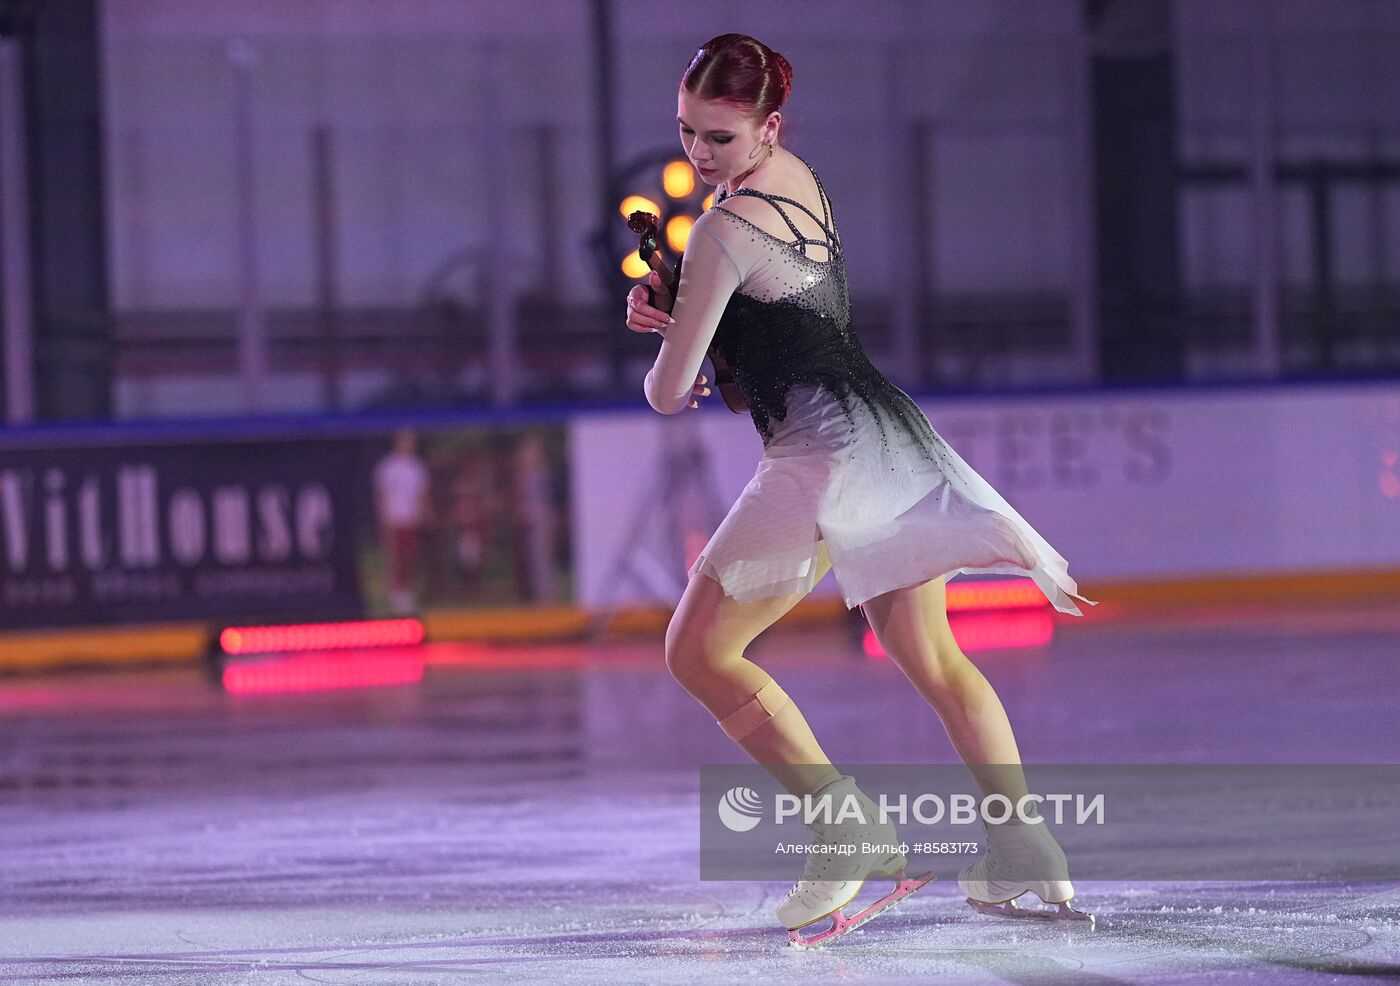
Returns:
(531, 814)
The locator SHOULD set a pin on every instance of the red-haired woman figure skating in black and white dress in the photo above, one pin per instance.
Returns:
(853, 478)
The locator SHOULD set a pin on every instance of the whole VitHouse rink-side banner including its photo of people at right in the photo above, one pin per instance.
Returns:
(383, 522)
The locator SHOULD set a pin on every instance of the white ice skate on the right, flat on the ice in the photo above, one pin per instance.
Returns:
(1021, 859)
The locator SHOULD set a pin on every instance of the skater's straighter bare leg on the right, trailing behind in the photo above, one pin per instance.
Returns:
(912, 627)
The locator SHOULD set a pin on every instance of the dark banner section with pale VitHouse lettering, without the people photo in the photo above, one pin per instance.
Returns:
(117, 534)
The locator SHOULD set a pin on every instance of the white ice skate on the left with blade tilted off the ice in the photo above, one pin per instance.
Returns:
(831, 880)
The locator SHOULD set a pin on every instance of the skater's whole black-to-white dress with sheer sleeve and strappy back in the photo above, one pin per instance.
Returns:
(849, 459)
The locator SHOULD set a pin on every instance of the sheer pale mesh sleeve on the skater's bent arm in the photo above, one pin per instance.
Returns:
(709, 277)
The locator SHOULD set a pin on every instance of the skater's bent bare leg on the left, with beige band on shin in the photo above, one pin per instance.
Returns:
(705, 652)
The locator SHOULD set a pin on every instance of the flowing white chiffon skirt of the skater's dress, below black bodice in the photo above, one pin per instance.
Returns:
(888, 515)
